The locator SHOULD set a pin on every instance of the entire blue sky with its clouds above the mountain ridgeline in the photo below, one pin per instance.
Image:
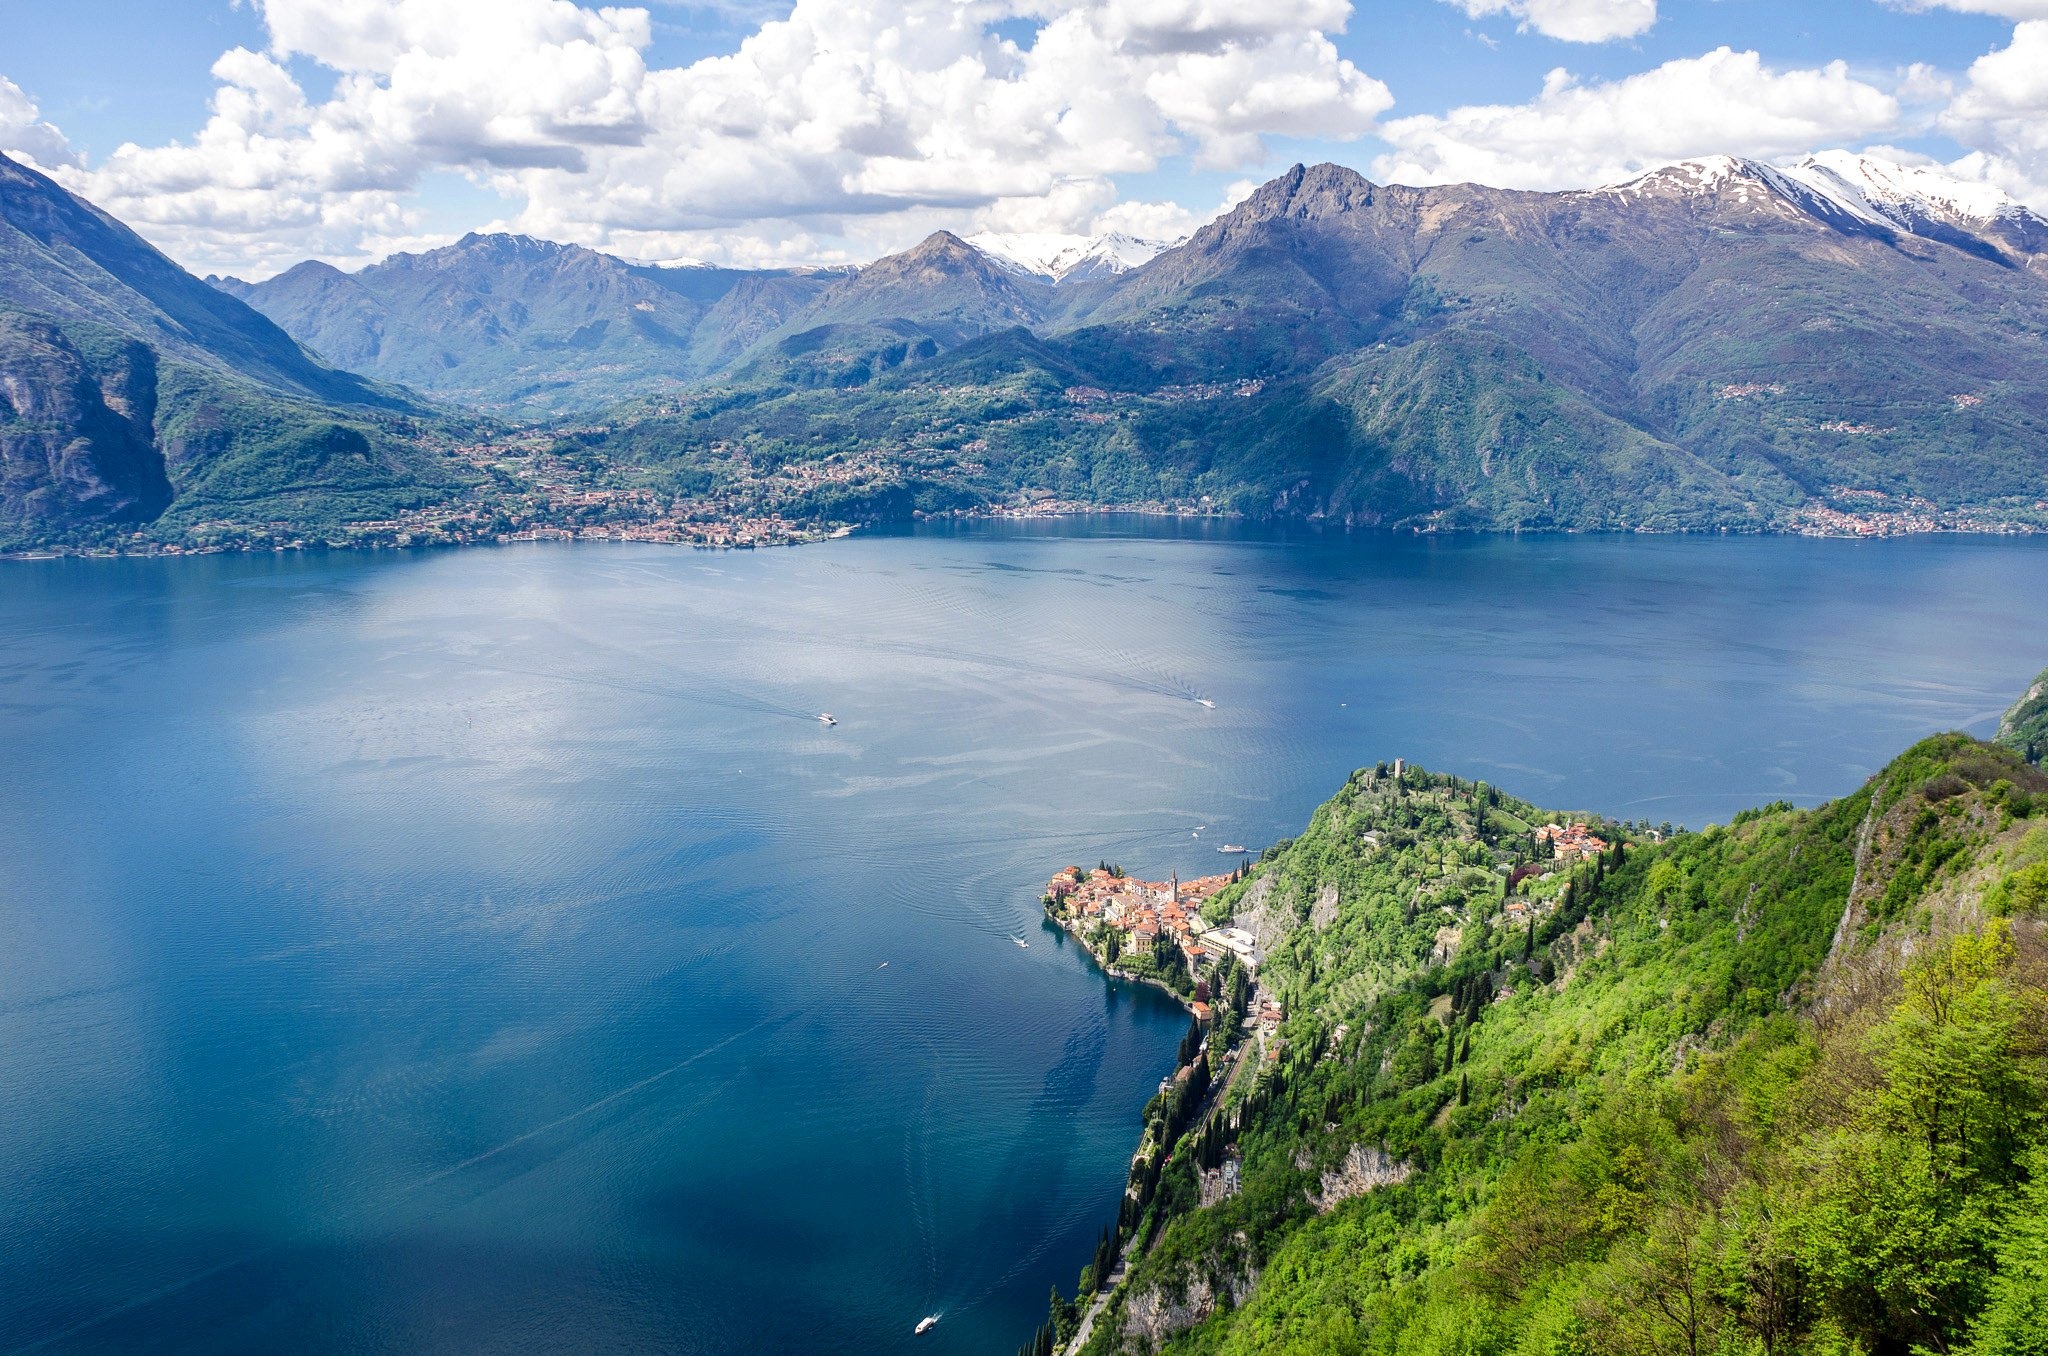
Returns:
(249, 136)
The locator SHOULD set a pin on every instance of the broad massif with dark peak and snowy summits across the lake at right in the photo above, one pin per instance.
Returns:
(1711, 345)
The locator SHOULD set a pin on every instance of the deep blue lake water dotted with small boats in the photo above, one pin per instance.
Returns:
(488, 951)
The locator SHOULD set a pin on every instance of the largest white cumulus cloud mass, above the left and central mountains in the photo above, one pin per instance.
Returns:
(843, 122)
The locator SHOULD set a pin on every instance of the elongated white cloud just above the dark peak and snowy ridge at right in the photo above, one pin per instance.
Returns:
(1578, 134)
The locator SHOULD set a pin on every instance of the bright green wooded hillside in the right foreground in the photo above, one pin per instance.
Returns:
(1777, 1087)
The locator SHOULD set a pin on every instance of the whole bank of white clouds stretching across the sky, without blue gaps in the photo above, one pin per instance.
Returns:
(849, 128)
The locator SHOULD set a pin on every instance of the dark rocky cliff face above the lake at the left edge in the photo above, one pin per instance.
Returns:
(77, 435)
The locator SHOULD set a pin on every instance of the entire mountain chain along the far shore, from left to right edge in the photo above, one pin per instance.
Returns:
(1719, 343)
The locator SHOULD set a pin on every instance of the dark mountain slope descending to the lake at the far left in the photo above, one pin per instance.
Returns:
(130, 390)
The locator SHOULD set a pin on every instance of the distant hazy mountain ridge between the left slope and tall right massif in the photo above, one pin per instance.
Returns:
(542, 329)
